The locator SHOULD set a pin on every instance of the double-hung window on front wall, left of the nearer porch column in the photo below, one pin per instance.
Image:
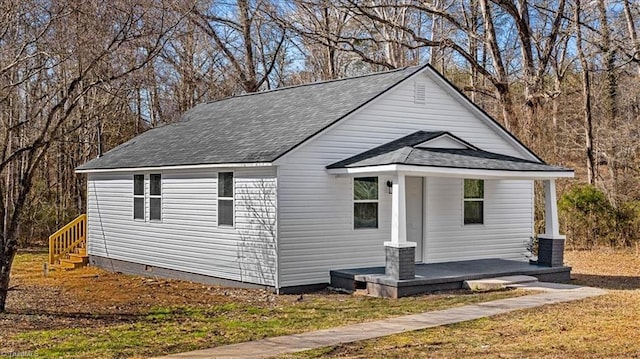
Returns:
(365, 202)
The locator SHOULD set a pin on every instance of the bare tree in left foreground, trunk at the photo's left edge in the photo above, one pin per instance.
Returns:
(44, 83)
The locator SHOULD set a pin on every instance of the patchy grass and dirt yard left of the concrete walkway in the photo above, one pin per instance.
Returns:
(90, 313)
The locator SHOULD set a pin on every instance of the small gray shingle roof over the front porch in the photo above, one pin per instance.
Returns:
(403, 151)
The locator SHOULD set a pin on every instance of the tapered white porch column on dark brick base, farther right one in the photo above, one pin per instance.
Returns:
(551, 243)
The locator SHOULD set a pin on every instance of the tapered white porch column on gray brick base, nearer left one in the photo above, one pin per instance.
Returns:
(399, 254)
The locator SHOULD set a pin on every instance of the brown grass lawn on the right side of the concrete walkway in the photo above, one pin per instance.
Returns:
(600, 327)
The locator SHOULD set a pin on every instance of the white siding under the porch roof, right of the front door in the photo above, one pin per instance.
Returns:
(508, 221)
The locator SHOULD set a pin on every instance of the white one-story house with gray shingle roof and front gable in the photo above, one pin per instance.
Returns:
(278, 188)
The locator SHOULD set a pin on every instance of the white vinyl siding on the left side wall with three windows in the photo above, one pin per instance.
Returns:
(187, 238)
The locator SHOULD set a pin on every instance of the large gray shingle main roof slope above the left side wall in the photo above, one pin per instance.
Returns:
(256, 127)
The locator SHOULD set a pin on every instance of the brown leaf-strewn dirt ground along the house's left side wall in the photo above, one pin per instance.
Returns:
(93, 297)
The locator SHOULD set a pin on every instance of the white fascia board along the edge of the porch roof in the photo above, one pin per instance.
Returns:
(425, 171)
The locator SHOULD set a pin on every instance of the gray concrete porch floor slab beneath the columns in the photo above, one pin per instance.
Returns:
(441, 276)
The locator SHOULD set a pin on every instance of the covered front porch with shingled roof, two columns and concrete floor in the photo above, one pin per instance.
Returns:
(444, 157)
